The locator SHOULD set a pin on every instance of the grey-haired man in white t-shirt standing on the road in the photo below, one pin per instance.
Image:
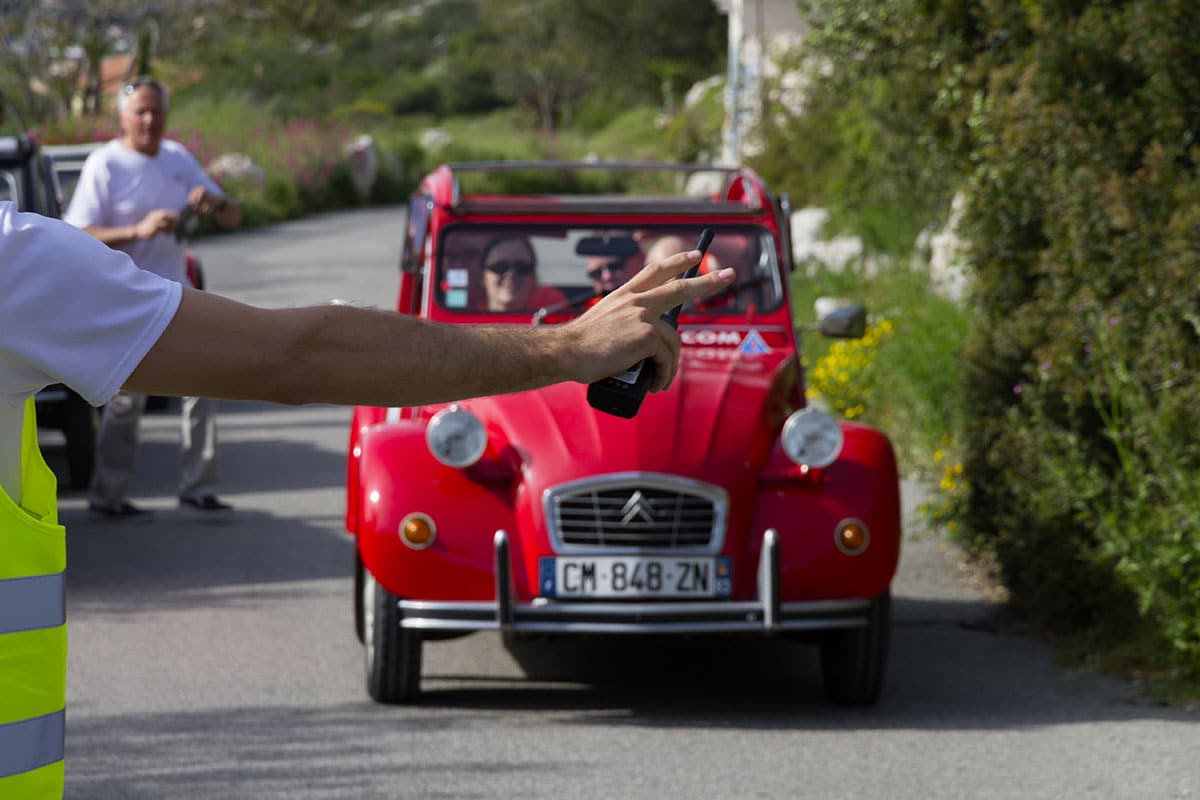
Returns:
(131, 195)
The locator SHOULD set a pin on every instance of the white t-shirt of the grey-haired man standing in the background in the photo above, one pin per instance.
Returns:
(118, 187)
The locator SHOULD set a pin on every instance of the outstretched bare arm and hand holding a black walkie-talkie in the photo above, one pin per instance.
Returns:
(217, 347)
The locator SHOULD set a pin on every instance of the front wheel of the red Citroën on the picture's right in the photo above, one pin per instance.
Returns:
(854, 661)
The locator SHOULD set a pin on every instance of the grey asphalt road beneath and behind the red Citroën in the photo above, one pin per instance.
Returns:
(220, 661)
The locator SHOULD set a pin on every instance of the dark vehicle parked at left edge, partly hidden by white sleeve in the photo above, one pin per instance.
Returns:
(28, 179)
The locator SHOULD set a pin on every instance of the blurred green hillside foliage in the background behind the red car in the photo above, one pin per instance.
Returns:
(291, 85)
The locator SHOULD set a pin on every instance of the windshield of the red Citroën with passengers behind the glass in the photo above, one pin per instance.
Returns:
(566, 269)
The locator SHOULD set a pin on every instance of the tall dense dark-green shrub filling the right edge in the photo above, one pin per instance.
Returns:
(1084, 214)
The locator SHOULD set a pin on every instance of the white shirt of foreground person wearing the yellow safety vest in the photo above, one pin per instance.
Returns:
(73, 311)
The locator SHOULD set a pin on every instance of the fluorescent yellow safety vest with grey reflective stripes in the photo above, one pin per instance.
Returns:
(33, 631)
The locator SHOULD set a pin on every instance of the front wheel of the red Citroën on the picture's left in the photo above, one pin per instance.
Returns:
(393, 653)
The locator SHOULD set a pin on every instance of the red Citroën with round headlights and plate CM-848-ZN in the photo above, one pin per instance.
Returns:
(727, 507)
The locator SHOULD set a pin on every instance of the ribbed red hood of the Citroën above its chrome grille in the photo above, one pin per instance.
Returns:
(721, 416)
